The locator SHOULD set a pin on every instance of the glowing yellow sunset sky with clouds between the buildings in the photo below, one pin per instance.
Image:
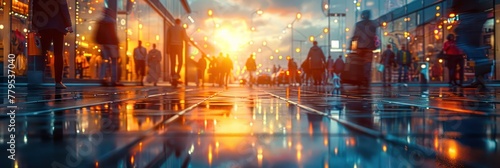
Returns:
(230, 25)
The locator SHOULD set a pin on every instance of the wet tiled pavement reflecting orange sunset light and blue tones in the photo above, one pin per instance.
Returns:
(241, 126)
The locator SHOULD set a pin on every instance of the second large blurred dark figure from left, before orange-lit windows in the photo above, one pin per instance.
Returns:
(107, 37)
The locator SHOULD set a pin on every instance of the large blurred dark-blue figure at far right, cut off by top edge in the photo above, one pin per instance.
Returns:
(469, 32)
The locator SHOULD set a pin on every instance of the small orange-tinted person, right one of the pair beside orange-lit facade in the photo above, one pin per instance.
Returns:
(154, 66)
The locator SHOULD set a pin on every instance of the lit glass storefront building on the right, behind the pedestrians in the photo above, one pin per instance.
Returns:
(422, 26)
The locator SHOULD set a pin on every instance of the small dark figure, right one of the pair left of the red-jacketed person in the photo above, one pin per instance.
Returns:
(404, 63)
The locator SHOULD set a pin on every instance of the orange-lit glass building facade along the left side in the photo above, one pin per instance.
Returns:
(144, 20)
